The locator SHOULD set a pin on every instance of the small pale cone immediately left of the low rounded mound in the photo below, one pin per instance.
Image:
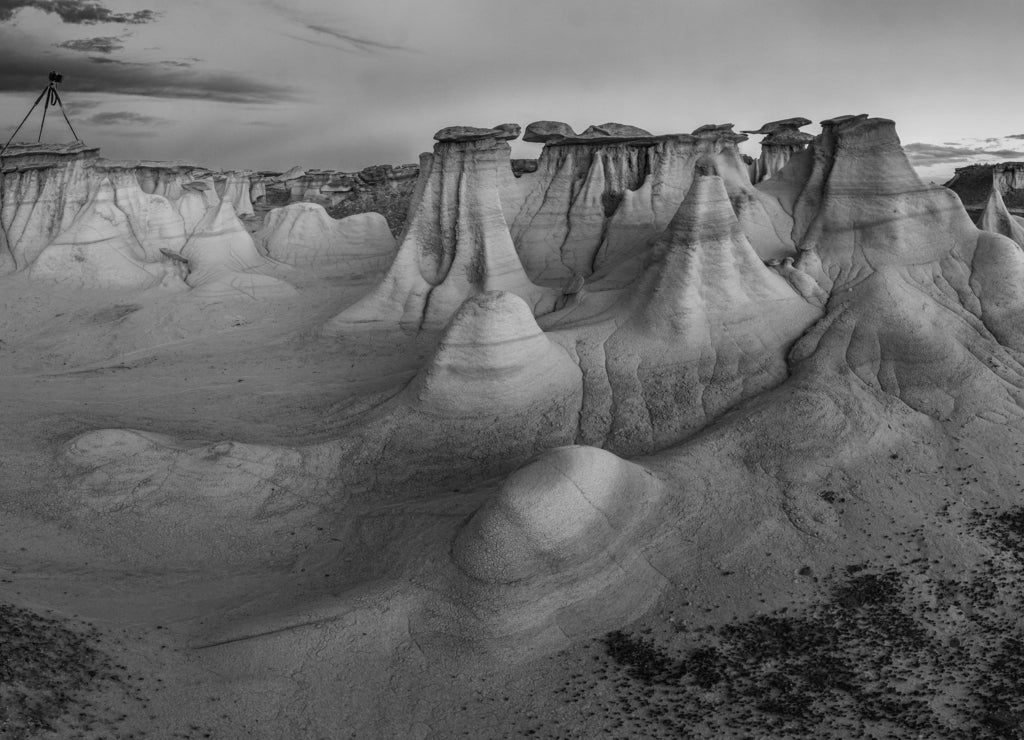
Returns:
(224, 262)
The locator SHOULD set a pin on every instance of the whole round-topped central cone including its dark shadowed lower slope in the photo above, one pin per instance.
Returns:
(495, 389)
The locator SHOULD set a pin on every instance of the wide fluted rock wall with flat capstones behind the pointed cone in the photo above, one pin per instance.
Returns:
(598, 199)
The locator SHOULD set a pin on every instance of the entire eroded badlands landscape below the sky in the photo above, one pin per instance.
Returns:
(642, 440)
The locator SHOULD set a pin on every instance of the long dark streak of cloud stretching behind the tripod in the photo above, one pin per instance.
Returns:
(20, 73)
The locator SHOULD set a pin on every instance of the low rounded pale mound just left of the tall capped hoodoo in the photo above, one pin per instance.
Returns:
(304, 235)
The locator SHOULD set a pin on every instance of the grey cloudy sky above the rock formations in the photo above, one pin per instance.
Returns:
(269, 84)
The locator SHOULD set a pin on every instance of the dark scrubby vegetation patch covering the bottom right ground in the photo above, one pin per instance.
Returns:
(890, 654)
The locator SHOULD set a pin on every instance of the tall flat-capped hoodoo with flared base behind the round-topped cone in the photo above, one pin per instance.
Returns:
(456, 244)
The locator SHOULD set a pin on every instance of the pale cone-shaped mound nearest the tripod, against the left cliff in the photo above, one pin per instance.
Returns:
(100, 250)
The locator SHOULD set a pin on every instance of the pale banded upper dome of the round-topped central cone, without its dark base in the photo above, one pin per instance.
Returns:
(493, 356)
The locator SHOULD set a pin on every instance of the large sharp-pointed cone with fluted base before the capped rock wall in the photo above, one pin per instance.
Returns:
(706, 326)
